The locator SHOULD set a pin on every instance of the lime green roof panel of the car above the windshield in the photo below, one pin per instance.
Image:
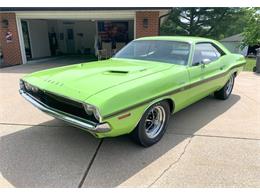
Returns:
(189, 39)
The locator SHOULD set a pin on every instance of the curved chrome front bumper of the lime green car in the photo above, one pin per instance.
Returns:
(73, 120)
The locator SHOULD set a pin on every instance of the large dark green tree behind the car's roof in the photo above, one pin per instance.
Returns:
(214, 23)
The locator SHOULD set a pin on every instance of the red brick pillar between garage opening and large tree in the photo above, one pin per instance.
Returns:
(153, 23)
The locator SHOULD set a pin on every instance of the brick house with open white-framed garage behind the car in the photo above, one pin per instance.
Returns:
(34, 33)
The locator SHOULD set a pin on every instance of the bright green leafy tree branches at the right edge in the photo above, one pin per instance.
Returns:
(251, 32)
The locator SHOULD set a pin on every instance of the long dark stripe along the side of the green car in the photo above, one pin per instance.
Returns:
(181, 89)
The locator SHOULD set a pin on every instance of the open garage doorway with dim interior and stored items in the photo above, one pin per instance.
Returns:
(49, 38)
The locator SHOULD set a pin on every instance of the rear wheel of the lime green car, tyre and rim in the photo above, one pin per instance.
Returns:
(225, 92)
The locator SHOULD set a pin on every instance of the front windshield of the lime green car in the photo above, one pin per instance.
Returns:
(155, 50)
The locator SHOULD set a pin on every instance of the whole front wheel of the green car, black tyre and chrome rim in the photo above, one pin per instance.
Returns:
(152, 125)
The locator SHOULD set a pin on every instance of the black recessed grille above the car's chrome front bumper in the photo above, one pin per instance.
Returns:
(63, 104)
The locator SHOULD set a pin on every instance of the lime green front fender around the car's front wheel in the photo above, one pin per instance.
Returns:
(133, 98)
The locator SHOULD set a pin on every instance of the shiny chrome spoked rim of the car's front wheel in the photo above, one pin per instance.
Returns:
(155, 121)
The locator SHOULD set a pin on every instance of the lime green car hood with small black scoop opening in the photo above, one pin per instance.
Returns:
(87, 79)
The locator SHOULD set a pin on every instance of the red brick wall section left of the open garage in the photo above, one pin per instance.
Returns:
(11, 51)
